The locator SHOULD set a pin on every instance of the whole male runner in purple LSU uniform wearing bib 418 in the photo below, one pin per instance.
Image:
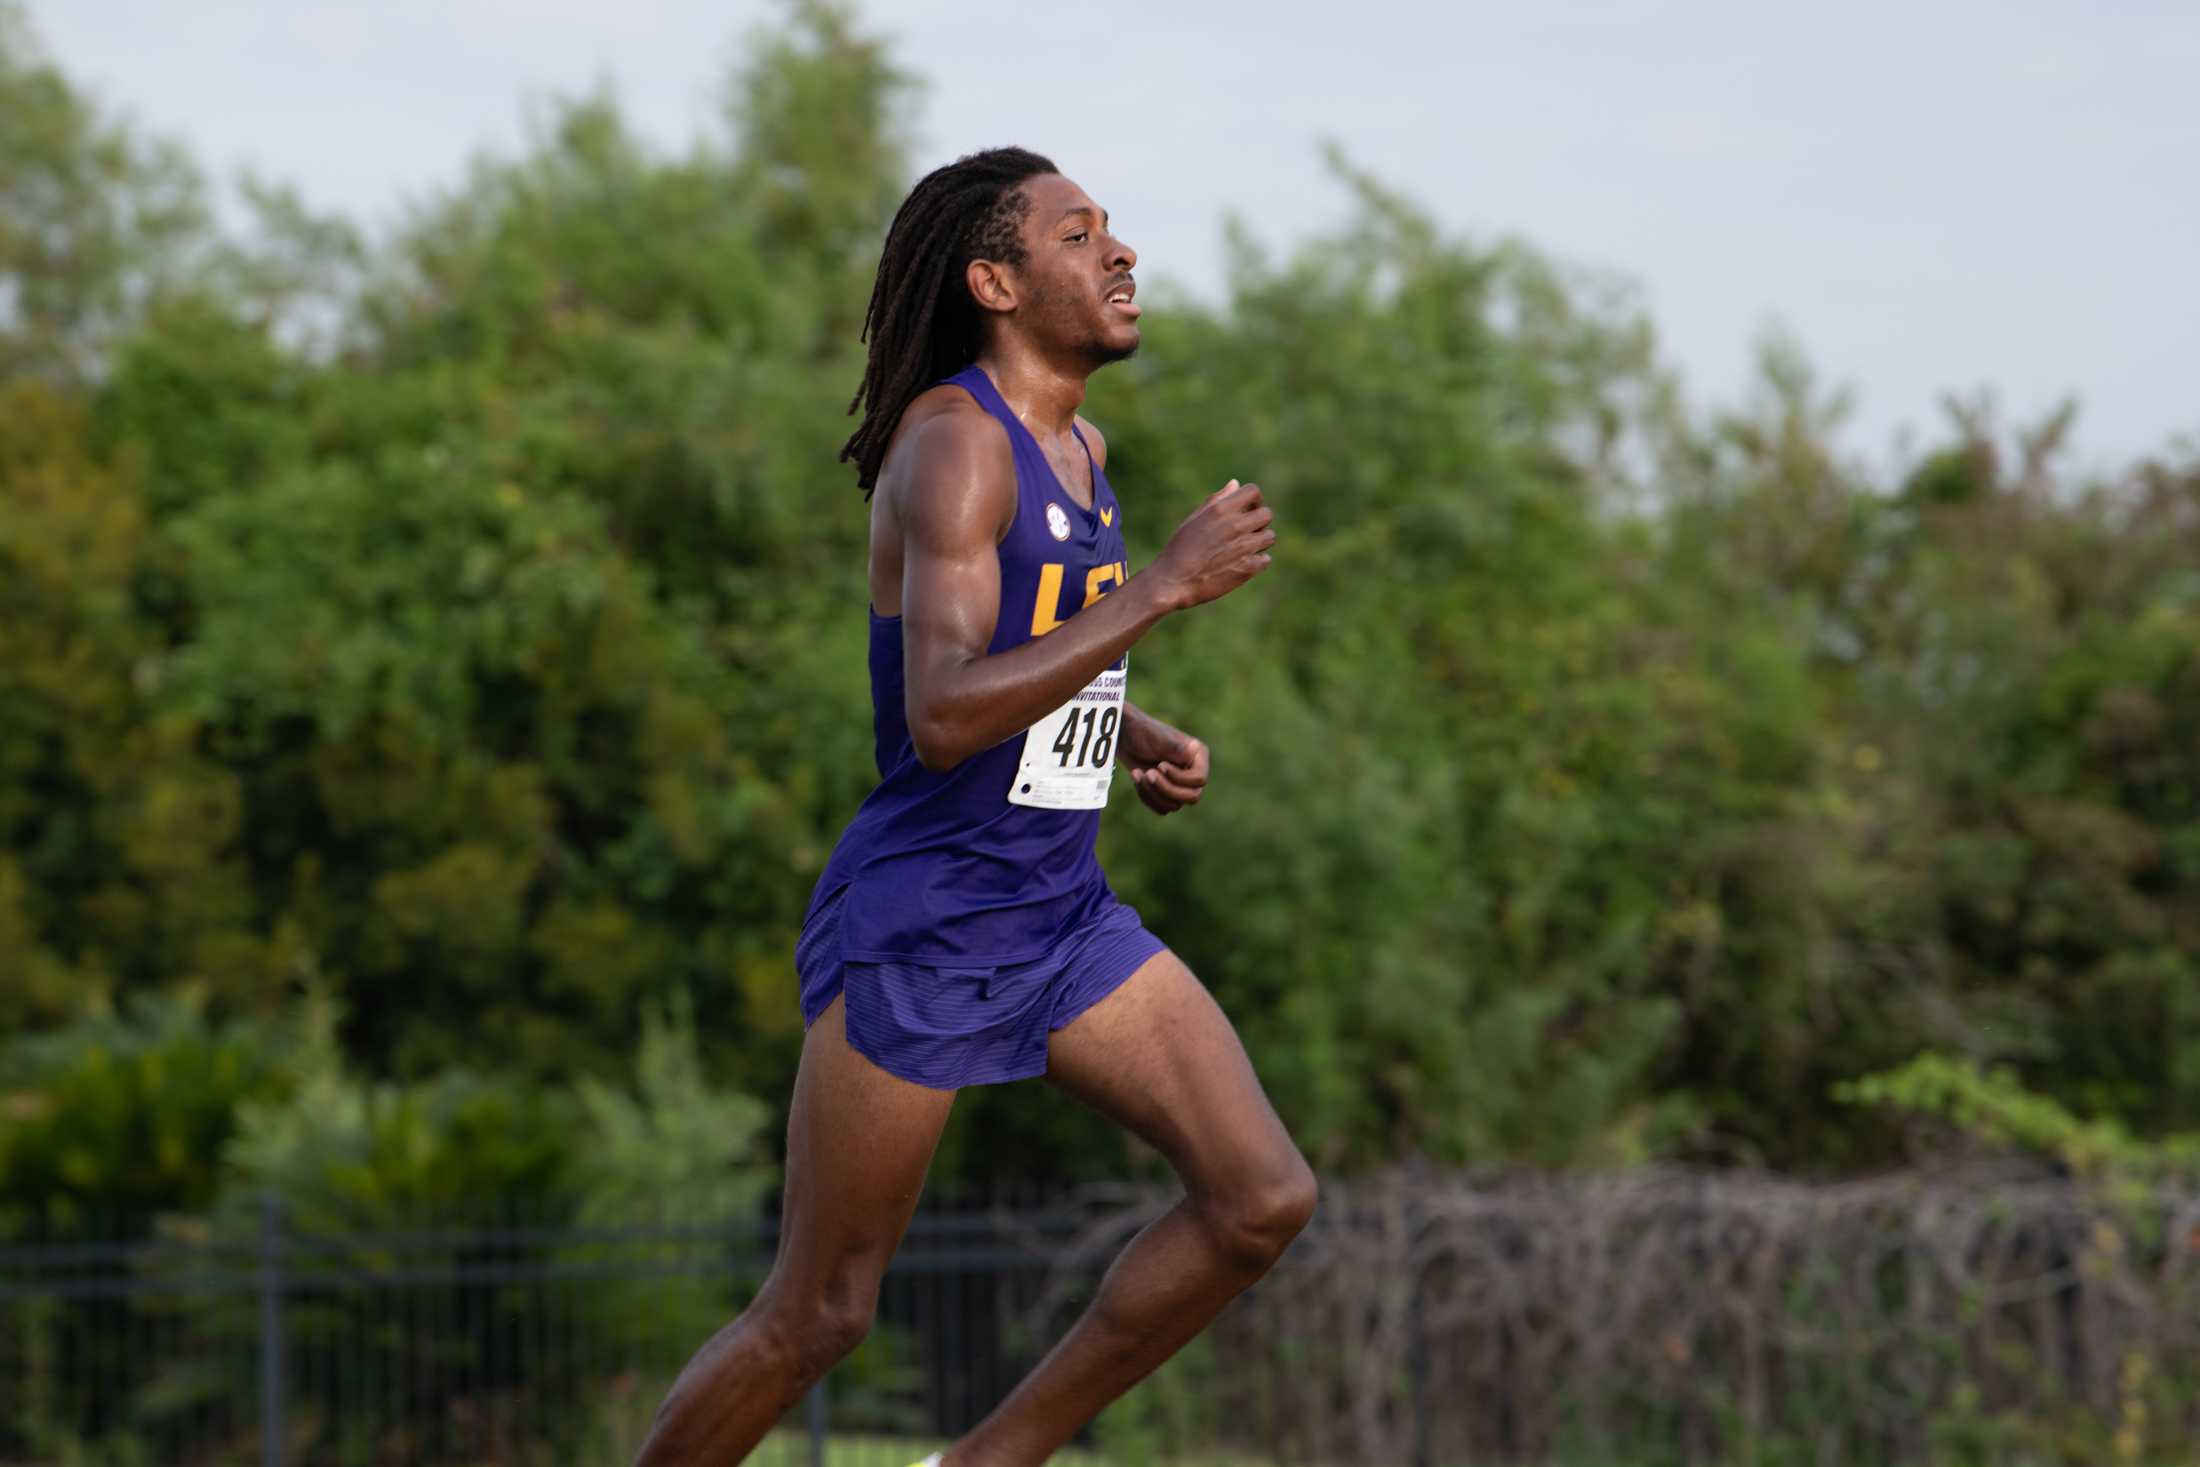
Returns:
(962, 931)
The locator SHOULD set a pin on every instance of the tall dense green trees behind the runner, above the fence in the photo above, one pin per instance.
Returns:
(467, 624)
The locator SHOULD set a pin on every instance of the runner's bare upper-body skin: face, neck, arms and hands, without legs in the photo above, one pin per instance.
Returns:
(947, 496)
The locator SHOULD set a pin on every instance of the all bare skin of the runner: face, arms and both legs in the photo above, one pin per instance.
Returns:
(1158, 1055)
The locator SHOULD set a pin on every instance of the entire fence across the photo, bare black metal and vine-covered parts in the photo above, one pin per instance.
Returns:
(1655, 1319)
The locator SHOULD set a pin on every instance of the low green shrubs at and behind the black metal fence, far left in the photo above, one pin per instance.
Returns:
(492, 1200)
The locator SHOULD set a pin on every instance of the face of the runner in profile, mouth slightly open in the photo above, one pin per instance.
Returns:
(1077, 274)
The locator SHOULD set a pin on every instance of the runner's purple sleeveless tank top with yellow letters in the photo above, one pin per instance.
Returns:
(945, 870)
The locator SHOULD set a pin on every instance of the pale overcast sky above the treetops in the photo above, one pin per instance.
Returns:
(1930, 195)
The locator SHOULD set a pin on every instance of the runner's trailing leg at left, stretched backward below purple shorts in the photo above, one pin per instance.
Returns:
(859, 1145)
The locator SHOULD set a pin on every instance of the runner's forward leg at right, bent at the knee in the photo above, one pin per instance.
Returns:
(1158, 1057)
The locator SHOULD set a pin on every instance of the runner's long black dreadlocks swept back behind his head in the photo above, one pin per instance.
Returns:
(923, 322)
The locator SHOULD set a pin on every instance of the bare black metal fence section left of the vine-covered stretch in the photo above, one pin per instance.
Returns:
(483, 1343)
